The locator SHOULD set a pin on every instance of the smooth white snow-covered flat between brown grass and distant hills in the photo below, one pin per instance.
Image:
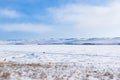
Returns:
(60, 53)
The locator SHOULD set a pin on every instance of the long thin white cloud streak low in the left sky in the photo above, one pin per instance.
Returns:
(33, 28)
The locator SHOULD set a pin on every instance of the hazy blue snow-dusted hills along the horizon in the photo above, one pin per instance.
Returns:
(64, 41)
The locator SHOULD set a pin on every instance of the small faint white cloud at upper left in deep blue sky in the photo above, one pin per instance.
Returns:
(9, 13)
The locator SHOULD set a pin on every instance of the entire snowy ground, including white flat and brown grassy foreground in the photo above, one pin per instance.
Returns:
(59, 62)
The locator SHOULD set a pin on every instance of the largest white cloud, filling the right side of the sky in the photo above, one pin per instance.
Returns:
(93, 19)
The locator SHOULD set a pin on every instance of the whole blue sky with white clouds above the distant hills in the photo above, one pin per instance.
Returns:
(39, 19)
